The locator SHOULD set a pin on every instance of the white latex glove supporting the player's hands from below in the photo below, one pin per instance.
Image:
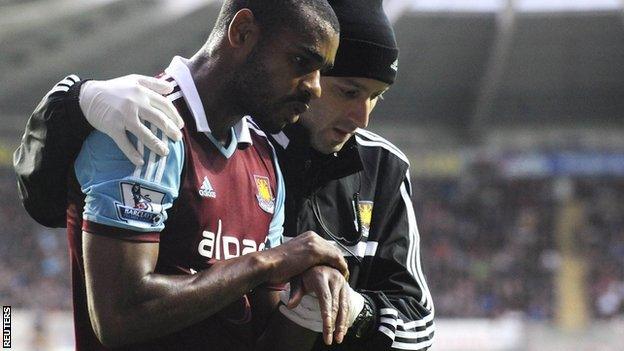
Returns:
(308, 313)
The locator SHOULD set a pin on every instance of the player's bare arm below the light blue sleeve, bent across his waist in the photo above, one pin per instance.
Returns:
(129, 303)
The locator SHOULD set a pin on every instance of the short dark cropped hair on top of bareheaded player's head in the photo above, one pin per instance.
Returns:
(273, 16)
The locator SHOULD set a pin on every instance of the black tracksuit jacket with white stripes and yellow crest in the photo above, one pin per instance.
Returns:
(383, 256)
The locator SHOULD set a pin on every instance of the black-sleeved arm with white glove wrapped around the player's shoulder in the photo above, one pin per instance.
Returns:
(57, 128)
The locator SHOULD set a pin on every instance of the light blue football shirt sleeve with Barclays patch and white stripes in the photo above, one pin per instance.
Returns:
(123, 200)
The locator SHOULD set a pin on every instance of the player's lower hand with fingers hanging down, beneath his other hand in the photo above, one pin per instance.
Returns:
(331, 290)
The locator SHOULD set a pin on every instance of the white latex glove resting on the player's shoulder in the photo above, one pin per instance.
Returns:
(119, 105)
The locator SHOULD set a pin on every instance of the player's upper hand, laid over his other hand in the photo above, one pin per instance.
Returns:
(302, 252)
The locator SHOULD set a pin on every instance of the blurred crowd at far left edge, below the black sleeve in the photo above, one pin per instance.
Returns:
(35, 265)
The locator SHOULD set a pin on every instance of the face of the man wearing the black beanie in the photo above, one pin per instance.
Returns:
(345, 105)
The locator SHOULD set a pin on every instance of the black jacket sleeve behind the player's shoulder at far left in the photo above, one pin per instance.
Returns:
(47, 149)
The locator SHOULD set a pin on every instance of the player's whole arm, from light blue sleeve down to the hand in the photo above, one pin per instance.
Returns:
(128, 301)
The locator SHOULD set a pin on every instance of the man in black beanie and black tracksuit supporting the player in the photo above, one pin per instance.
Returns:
(343, 182)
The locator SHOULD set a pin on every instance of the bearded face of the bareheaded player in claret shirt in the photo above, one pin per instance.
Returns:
(282, 75)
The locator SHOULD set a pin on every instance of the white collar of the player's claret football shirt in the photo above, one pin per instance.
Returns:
(178, 69)
